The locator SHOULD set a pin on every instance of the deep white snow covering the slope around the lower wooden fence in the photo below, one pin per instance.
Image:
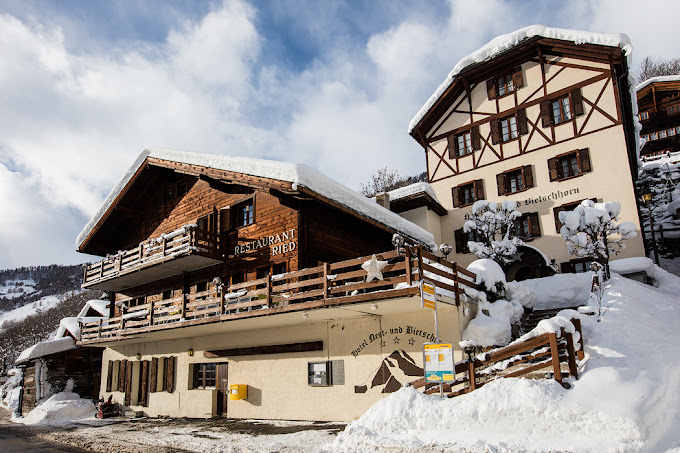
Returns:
(626, 398)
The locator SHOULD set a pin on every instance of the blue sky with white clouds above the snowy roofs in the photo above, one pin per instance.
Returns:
(85, 86)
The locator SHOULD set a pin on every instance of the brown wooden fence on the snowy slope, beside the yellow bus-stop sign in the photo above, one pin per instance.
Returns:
(546, 351)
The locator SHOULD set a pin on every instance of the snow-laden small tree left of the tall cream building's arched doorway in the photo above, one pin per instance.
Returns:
(492, 225)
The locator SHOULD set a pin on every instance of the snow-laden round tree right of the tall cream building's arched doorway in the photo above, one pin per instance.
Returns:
(589, 230)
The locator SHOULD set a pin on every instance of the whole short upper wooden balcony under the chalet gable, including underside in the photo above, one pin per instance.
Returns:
(182, 250)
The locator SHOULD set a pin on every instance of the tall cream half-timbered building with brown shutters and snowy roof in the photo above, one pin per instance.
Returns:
(543, 117)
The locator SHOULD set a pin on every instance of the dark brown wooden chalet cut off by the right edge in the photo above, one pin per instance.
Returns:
(659, 113)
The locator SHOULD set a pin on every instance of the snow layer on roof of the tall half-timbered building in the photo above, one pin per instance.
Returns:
(506, 42)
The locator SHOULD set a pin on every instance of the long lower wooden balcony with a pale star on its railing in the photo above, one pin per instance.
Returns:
(329, 285)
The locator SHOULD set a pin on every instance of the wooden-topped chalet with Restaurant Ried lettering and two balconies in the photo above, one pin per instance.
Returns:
(258, 289)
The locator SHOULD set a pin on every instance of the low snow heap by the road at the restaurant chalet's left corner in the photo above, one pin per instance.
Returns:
(59, 408)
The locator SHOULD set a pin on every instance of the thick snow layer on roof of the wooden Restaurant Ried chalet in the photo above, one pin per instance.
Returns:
(297, 174)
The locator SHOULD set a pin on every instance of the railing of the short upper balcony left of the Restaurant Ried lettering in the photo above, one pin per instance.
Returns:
(188, 240)
